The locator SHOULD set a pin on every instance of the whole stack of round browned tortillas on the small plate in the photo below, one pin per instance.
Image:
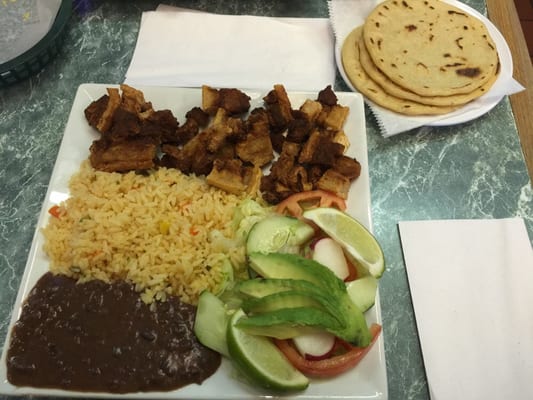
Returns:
(420, 57)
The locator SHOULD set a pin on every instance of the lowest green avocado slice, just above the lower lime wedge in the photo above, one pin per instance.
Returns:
(287, 323)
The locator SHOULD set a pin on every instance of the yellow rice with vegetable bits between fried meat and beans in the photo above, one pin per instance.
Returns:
(166, 232)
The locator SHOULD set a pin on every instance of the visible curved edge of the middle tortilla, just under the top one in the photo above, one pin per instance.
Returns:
(393, 89)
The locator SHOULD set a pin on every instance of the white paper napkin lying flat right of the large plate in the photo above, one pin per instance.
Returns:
(471, 284)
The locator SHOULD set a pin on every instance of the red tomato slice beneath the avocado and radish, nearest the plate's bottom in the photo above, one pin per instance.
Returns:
(331, 366)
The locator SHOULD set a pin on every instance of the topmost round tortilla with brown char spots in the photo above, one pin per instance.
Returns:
(430, 47)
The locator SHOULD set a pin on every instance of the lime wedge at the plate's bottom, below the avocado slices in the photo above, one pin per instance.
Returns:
(261, 361)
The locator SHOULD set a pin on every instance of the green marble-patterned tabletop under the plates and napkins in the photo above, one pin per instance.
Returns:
(474, 170)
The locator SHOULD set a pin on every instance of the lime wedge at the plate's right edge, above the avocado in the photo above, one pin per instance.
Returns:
(351, 235)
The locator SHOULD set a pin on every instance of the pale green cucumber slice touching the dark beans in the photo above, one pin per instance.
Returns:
(210, 324)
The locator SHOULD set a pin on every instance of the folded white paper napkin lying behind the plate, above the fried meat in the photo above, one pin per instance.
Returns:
(186, 48)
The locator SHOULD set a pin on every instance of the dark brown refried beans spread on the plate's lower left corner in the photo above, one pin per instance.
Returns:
(101, 337)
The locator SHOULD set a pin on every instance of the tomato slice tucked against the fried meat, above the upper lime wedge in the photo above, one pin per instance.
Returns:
(295, 204)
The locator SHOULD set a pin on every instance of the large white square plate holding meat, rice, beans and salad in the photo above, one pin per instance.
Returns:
(368, 380)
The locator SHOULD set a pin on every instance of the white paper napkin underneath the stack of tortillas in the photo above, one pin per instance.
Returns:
(345, 15)
